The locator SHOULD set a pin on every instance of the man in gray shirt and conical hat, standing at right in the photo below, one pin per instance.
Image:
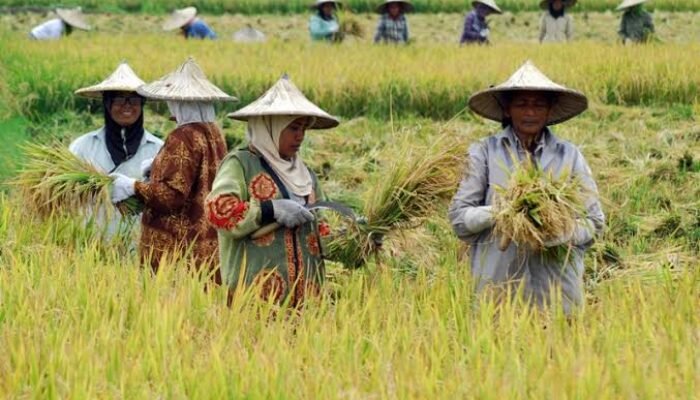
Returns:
(525, 104)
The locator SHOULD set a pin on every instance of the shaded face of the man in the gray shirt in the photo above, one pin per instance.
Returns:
(529, 112)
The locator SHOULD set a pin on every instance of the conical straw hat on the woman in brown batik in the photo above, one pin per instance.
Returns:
(186, 83)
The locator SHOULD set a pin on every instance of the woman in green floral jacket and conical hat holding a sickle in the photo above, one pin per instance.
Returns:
(268, 182)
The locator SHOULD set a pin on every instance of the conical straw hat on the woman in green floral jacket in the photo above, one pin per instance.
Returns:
(284, 98)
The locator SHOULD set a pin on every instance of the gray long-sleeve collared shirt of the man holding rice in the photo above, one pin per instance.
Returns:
(490, 162)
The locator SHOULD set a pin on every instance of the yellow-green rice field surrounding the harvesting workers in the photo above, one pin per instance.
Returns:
(79, 318)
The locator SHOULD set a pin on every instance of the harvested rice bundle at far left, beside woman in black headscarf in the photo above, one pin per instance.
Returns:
(54, 180)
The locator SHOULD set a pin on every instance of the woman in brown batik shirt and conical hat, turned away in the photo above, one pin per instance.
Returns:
(174, 220)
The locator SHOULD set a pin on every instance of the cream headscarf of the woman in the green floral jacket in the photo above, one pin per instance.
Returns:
(264, 135)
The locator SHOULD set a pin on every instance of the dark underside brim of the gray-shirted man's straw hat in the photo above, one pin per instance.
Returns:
(569, 103)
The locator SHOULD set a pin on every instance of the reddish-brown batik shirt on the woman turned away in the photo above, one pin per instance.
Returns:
(174, 219)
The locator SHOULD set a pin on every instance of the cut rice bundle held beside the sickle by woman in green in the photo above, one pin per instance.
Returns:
(398, 199)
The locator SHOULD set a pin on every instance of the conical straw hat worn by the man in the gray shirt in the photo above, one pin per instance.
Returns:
(568, 104)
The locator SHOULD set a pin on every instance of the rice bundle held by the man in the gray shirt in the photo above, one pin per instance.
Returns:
(536, 207)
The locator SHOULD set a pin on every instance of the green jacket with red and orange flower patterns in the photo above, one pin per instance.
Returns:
(284, 263)
